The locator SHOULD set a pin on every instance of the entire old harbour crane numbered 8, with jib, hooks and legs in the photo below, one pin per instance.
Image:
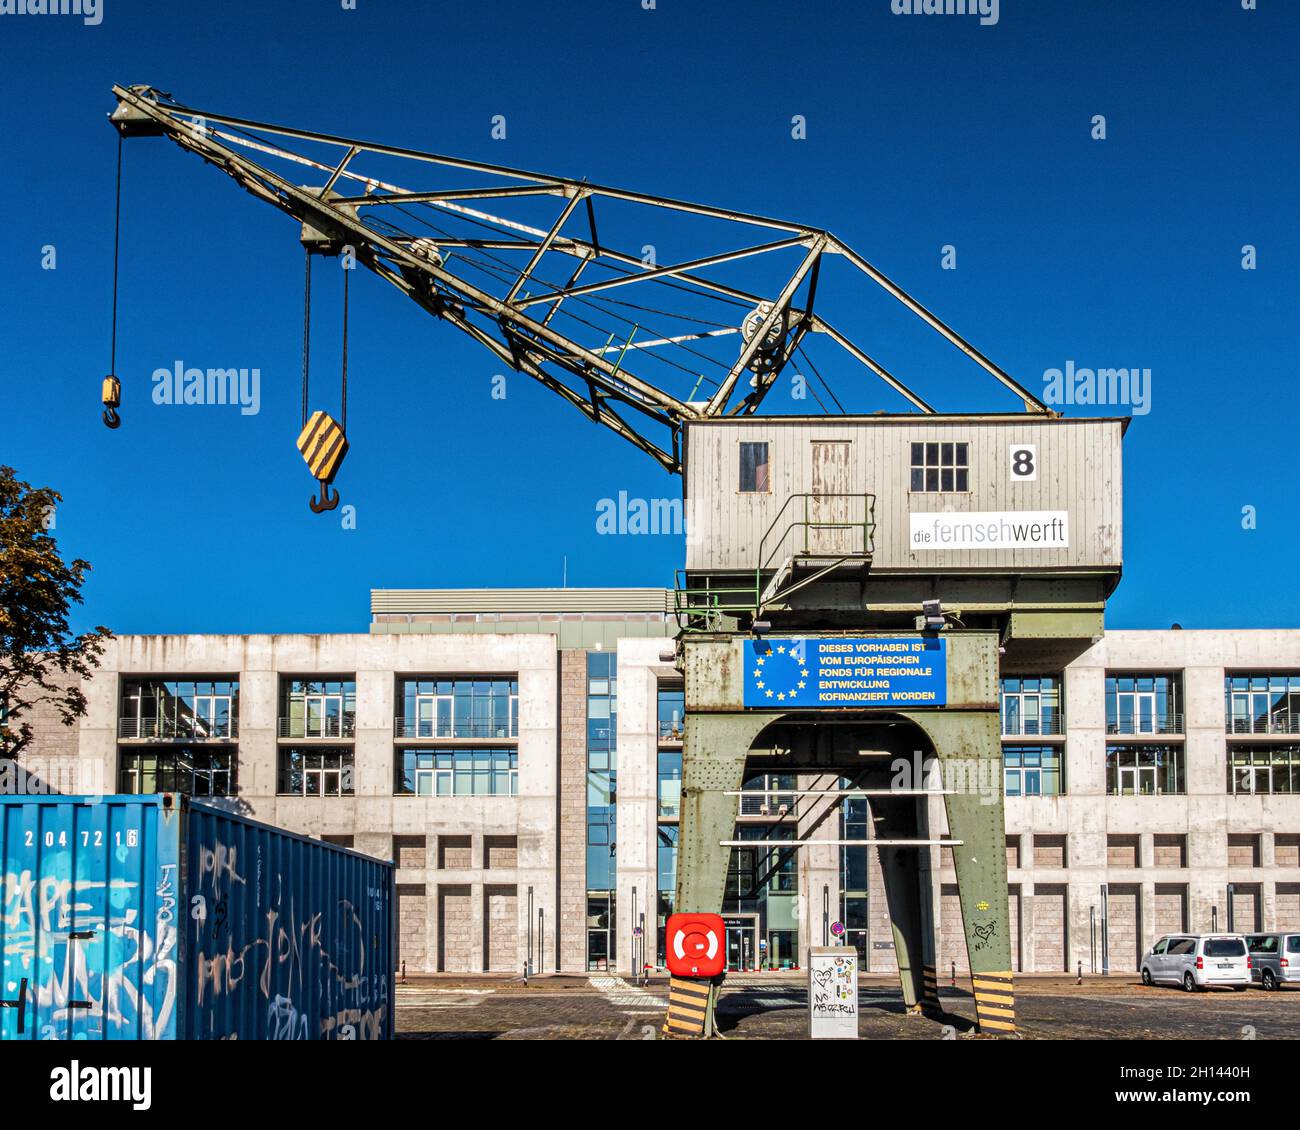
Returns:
(825, 639)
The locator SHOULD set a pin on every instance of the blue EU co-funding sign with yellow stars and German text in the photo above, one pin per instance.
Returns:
(868, 672)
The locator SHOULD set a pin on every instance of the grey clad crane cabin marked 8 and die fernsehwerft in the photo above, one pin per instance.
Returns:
(1012, 522)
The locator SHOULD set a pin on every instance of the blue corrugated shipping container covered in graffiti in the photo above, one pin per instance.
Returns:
(161, 919)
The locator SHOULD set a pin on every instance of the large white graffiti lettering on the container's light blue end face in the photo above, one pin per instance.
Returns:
(83, 941)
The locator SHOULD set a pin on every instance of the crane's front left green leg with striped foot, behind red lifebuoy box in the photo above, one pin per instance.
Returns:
(713, 764)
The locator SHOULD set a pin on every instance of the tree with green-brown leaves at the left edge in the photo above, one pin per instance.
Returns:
(41, 660)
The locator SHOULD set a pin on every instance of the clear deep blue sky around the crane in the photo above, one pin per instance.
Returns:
(922, 132)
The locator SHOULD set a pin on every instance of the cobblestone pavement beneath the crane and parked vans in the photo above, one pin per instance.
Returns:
(773, 1007)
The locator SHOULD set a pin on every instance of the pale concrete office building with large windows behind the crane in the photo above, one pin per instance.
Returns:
(519, 755)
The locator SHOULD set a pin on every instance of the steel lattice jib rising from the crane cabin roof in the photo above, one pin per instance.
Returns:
(430, 243)
